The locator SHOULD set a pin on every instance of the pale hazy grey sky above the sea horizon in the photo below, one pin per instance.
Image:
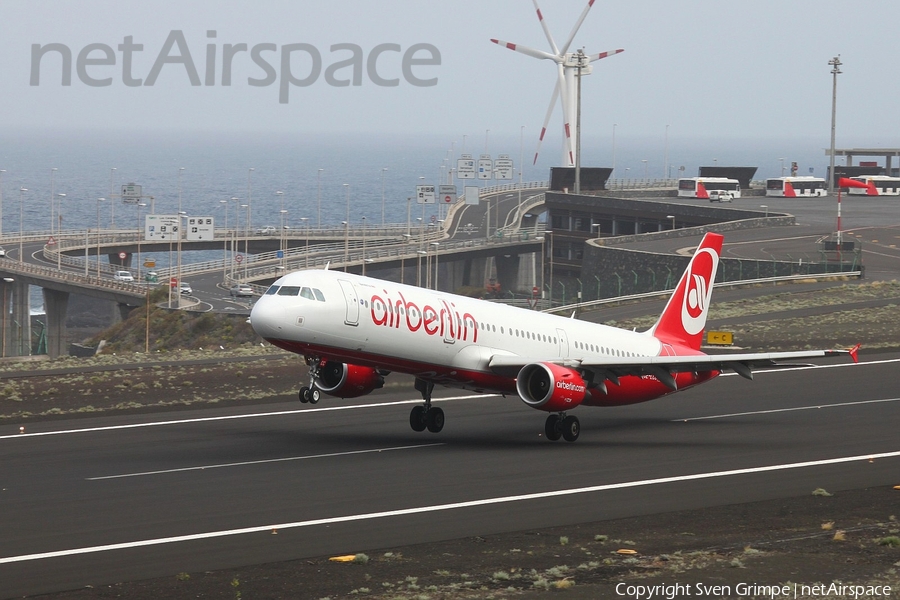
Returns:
(704, 67)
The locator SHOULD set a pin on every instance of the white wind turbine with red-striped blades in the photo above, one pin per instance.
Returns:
(569, 66)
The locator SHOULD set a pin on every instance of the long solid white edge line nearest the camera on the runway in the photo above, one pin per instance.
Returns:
(439, 507)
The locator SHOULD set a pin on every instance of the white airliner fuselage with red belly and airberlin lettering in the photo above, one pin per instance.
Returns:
(444, 338)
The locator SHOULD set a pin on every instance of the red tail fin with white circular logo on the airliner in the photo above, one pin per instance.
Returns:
(684, 317)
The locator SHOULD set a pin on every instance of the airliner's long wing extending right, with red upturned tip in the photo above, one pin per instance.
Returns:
(662, 367)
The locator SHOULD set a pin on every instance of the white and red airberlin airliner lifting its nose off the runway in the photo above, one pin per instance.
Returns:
(355, 330)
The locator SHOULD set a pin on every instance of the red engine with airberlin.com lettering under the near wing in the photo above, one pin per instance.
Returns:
(550, 387)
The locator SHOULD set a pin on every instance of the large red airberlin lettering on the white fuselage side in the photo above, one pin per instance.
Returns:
(444, 321)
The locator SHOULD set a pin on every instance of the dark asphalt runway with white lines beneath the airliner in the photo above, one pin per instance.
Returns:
(91, 501)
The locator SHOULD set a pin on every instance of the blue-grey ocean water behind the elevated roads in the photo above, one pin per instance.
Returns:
(216, 167)
